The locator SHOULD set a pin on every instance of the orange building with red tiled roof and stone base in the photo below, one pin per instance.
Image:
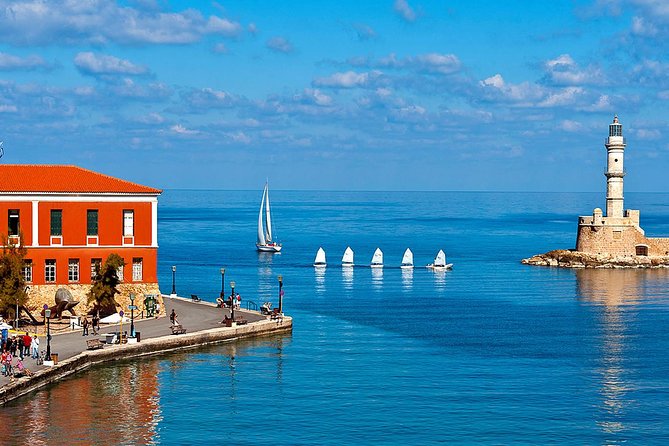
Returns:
(71, 219)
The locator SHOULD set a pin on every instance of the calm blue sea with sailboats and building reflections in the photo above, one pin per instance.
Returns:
(492, 352)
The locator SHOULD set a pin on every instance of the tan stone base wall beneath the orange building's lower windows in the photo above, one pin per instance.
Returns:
(45, 294)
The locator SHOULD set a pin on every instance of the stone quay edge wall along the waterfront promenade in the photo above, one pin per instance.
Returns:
(153, 346)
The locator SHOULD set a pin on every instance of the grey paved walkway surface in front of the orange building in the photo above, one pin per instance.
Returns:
(193, 316)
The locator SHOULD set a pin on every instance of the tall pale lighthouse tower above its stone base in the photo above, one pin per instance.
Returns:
(615, 148)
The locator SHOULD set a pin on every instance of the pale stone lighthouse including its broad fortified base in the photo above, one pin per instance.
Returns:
(617, 233)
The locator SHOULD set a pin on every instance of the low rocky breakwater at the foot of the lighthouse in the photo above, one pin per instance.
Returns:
(575, 259)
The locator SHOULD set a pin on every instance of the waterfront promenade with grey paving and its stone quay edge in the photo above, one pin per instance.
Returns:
(202, 321)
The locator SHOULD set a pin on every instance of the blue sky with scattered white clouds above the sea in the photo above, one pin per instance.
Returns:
(470, 95)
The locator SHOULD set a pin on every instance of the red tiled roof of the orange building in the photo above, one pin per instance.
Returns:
(32, 178)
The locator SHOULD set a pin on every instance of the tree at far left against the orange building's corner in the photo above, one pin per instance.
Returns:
(12, 282)
